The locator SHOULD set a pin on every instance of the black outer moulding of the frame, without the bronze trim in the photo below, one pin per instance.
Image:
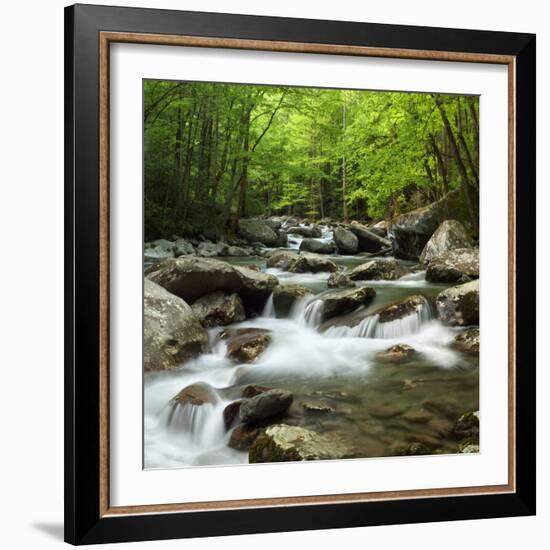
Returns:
(83, 524)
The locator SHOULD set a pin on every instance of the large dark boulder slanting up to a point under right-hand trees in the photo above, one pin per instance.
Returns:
(410, 232)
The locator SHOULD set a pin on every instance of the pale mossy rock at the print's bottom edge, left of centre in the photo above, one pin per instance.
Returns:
(281, 443)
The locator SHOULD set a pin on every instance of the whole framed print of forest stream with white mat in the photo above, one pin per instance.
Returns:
(300, 277)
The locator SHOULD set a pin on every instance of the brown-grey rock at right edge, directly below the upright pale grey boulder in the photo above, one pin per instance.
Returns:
(454, 266)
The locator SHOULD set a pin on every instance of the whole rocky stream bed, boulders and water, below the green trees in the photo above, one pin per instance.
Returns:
(295, 341)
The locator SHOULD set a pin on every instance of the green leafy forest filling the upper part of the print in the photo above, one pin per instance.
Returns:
(214, 153)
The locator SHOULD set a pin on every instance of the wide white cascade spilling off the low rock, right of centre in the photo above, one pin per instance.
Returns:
(372, 327)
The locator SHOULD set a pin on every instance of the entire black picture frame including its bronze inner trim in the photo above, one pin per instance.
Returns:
(89, 32)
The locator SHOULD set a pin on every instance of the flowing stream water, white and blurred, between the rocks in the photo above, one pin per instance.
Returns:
(332, 366)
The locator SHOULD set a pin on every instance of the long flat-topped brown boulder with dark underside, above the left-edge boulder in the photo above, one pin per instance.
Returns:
(190, 278)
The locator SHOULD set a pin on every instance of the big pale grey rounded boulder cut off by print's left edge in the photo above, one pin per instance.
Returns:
(172, 334)
